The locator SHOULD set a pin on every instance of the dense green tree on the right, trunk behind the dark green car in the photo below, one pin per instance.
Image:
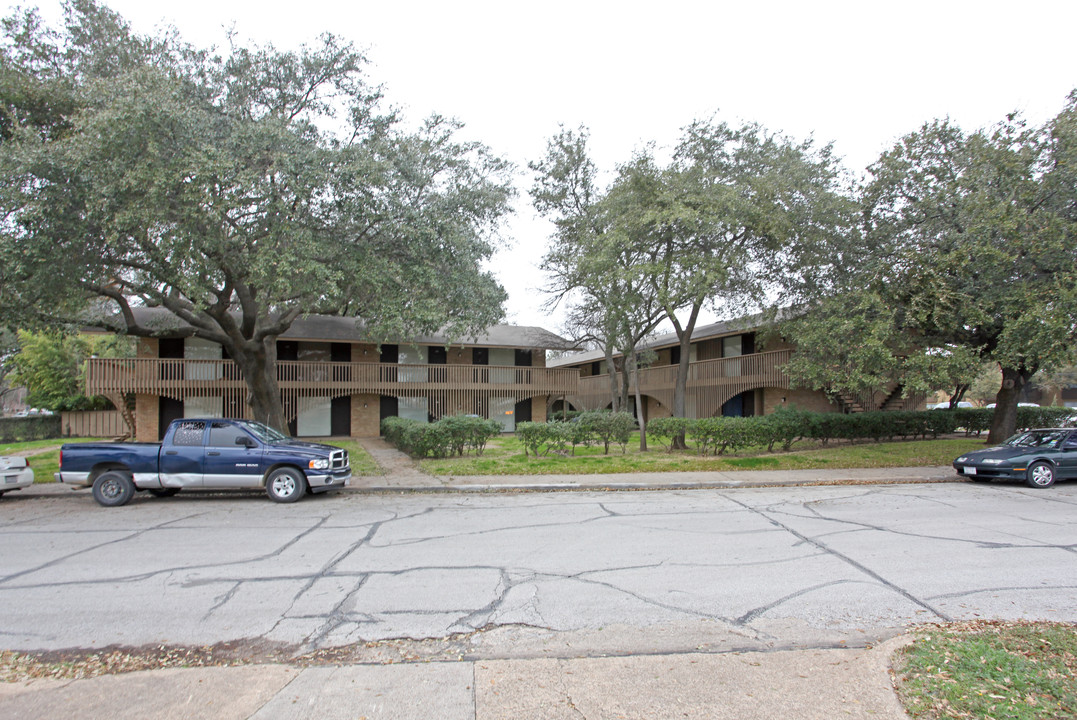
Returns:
(966, 256)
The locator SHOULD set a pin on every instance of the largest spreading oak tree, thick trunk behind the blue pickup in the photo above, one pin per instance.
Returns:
(236, 191)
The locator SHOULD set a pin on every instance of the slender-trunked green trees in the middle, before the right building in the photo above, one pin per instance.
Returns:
(736, 209)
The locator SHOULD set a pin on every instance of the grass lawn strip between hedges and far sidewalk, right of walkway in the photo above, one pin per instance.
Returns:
(505, 456)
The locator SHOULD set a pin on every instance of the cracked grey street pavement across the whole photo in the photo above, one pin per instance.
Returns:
(537, 574)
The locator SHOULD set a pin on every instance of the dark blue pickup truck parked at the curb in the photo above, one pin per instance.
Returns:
(206, 454)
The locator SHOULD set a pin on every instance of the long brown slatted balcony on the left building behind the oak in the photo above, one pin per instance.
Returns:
(183, 378)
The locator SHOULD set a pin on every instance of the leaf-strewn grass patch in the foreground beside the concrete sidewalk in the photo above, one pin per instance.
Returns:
(990, 670)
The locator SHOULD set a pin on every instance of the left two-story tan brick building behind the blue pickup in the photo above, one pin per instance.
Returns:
(335, 384)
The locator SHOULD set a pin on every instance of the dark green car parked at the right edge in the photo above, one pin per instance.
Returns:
(1040, 458)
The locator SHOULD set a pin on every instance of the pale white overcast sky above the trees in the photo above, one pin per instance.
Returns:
(858, 74)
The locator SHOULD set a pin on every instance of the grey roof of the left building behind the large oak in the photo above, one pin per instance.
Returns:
(334, 329)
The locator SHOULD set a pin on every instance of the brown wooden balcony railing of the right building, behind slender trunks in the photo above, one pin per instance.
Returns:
(710, 383)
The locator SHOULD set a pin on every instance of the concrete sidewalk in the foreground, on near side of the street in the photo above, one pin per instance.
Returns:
(805, 685)
